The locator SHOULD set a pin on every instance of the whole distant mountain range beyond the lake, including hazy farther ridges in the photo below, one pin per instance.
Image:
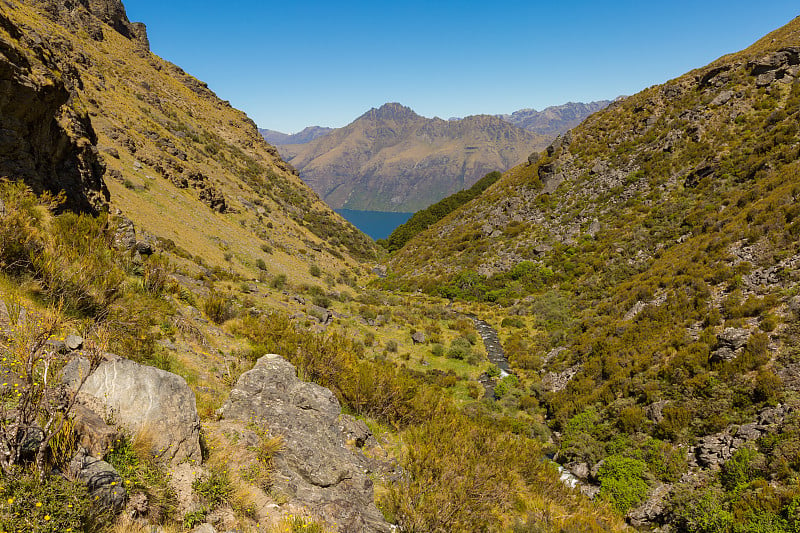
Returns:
(382, 175)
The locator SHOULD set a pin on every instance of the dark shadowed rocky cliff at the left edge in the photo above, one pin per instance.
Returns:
(44, 139)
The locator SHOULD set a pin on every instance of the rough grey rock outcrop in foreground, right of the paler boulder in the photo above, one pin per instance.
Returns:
(314, 469)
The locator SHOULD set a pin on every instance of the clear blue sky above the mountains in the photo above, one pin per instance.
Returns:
(295, 63)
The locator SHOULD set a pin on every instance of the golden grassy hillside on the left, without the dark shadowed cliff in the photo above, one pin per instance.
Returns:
(184, 165)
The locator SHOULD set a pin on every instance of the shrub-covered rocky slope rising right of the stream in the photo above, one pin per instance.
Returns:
(656, 249)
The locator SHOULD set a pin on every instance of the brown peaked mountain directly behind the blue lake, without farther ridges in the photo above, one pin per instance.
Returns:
(391, 159)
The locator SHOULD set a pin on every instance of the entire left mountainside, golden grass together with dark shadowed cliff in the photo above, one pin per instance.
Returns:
(89, 110)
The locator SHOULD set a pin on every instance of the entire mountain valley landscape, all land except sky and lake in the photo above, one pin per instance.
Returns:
(603, 337)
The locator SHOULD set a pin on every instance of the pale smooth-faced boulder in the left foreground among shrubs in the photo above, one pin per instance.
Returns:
(145, 401)
